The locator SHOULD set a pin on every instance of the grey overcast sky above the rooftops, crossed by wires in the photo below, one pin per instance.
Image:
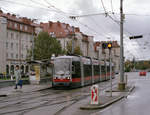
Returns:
(137, 16)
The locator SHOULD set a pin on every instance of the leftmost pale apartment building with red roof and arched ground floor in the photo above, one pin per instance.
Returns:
(16, 38)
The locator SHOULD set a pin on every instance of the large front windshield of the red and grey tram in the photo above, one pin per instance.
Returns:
(62, 66)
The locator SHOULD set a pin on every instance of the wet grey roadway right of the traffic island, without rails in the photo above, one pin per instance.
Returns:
(137, 103)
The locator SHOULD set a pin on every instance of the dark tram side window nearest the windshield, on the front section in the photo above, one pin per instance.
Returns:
(76, 70)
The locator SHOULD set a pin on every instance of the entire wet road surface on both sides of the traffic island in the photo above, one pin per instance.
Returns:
(67, 102)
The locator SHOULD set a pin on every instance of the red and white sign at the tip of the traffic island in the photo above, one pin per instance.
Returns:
(94, 94)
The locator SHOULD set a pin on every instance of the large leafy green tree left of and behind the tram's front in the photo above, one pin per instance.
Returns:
(45, 46)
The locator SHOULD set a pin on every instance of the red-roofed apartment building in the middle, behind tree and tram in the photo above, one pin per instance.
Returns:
(66, 33)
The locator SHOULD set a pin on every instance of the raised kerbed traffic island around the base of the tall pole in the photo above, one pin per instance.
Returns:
(105, 99)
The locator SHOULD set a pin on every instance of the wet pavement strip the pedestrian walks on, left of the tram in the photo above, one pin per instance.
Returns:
(7, 91)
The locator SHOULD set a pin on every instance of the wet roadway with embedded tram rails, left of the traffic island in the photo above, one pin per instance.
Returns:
(47, 102)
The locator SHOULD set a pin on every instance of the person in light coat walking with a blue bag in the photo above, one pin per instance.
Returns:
(18, 77)
